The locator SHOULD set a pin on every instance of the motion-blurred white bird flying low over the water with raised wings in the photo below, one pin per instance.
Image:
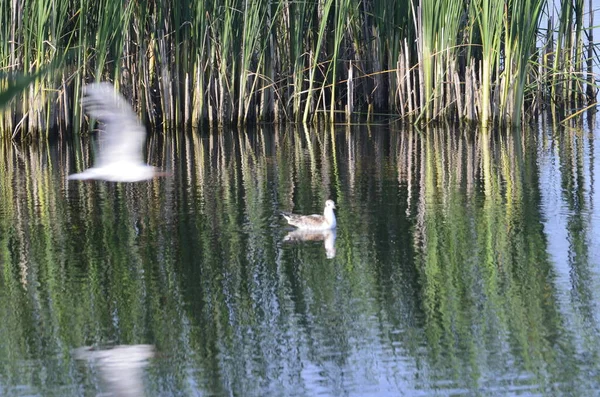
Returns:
(120, 157)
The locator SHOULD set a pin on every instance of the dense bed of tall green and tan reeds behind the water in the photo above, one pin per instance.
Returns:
(241, 62)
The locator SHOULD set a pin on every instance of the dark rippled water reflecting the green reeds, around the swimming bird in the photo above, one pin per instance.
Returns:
(463, 264)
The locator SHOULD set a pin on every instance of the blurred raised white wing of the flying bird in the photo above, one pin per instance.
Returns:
(123, 137)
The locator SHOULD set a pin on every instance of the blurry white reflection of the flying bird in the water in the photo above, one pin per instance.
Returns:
(120, 367)
